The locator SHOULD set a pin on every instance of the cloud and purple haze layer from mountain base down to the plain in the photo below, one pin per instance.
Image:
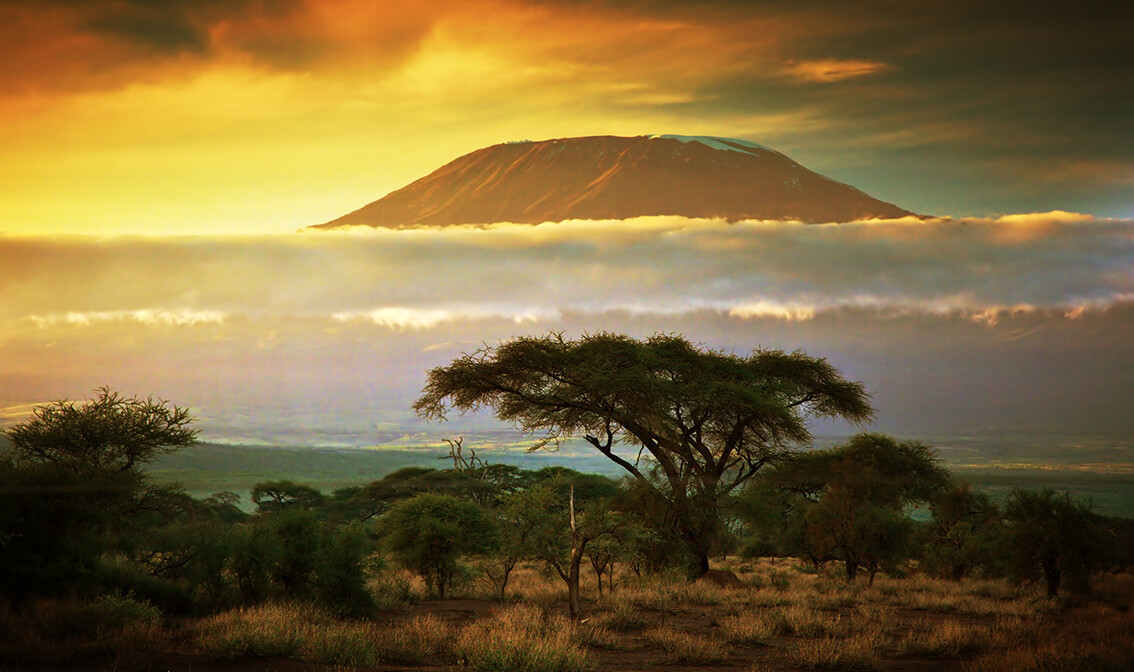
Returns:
(975, 326)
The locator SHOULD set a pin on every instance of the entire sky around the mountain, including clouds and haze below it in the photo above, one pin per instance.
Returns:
(157, 159)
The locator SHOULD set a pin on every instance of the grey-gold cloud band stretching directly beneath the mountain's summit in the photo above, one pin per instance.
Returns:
(1056, 262)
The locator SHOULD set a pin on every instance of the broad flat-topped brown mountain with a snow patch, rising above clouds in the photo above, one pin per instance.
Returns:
(607, 177)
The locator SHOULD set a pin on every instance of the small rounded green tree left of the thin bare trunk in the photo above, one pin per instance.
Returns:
(430, 533)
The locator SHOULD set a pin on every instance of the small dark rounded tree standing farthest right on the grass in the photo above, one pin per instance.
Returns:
(1053, 538)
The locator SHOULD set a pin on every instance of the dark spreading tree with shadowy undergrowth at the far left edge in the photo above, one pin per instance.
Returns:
(72, 490)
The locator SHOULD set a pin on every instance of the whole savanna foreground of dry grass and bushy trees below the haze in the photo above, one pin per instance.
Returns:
(869, 555)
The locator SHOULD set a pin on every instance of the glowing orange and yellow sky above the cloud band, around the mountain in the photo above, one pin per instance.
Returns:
(218, 117)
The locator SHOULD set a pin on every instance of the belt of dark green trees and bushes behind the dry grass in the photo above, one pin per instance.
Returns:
(79, 516)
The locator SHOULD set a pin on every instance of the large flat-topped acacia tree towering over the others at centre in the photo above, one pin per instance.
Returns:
(709, 421)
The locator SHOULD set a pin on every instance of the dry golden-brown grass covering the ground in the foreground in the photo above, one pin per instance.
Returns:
(811, 622)
